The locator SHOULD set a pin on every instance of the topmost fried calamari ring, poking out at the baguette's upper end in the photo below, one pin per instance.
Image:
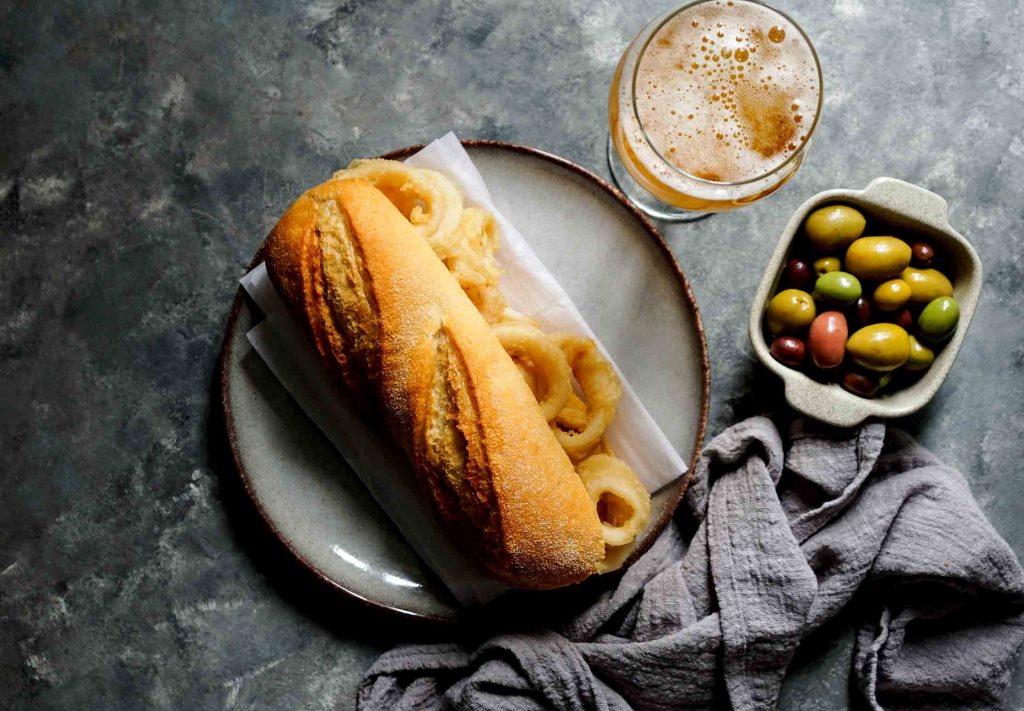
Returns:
(428, 199)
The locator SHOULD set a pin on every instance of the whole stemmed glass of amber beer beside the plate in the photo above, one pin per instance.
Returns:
(712, 107)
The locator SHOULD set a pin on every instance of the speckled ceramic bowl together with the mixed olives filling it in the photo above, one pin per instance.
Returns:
(866, 303)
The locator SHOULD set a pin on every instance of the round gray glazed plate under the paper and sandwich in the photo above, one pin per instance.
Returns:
(624, 279)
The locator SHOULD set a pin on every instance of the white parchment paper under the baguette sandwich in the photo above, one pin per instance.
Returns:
(529, 288)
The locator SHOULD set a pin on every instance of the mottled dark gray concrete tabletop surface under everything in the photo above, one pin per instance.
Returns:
(148, 147)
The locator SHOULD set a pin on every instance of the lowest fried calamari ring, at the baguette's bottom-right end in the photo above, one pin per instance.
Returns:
(623, 504)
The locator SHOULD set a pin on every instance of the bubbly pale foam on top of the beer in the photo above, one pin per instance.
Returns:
(728, 91)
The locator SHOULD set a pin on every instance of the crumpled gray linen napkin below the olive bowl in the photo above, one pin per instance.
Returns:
(786, 538)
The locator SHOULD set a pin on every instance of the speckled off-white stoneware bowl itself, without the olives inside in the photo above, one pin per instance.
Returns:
(908, 208)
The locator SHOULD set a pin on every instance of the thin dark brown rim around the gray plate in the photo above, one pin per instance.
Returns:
(679, 488)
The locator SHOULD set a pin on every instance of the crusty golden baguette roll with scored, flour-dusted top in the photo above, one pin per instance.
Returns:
(389, 317)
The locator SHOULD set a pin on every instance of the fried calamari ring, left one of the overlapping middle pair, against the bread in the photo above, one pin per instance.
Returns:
(530, 347)
